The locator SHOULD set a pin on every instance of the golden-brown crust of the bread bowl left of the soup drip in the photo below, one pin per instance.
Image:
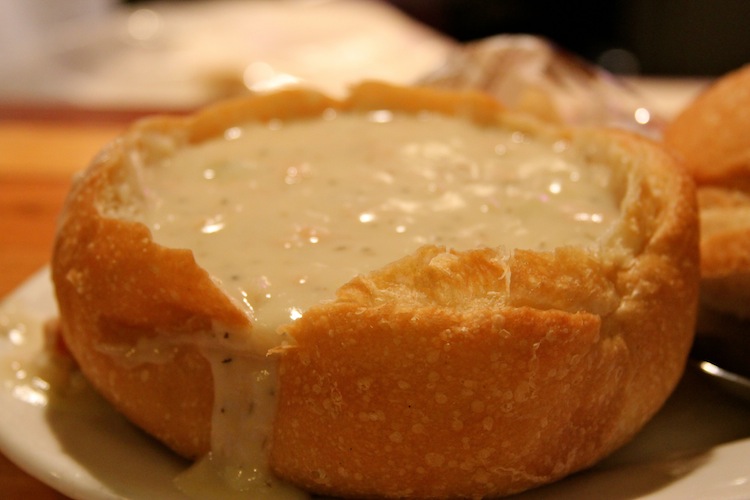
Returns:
(115, 288)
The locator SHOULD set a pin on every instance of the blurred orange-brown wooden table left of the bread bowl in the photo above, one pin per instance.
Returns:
(40, 151)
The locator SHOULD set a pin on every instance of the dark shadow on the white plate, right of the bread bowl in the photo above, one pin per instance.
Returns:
(679, 441)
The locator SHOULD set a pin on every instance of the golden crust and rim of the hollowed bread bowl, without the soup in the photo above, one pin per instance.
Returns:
(461, 374)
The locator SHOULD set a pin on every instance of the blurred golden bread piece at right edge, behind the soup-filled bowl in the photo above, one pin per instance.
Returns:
(710, 138)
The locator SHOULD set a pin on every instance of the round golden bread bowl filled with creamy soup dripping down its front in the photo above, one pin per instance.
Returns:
(475, 303)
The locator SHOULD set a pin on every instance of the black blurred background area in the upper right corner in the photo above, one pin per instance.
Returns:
(647, 37)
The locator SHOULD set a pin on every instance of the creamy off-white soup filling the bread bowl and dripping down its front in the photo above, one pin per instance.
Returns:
(283, 213)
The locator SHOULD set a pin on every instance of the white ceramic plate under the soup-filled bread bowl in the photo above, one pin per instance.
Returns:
(697, 447)
